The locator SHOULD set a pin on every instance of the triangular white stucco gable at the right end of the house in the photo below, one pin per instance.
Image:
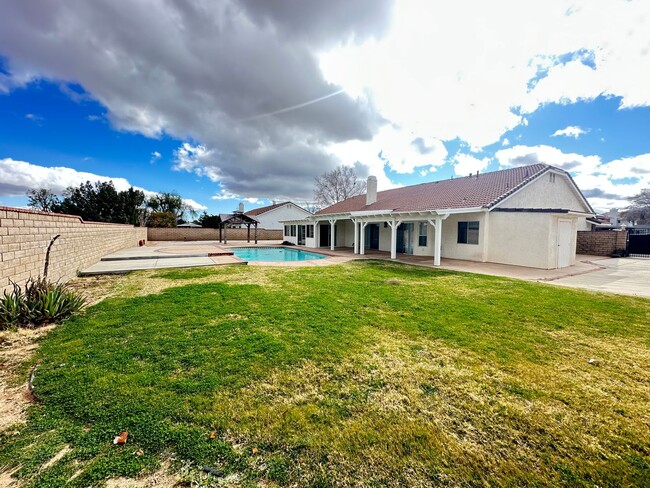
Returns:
(545, 193)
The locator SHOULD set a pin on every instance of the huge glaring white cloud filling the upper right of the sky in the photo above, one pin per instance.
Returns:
(449, 75)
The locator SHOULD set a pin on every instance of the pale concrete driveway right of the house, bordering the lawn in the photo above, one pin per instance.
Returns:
(626, 276)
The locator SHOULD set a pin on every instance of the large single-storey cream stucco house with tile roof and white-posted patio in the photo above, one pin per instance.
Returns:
(525, 216)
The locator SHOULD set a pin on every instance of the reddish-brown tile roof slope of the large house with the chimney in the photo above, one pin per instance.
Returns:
(484, 190)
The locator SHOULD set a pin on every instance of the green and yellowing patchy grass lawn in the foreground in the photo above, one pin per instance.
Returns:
(369, 373)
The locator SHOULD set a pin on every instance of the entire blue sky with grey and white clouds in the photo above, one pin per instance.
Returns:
(249, 100)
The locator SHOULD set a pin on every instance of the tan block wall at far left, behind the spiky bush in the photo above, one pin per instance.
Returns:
(26, 234)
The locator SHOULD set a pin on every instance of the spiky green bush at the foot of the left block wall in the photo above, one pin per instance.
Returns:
(40, 302)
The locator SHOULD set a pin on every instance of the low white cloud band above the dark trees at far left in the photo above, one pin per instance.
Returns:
(16, 177)
